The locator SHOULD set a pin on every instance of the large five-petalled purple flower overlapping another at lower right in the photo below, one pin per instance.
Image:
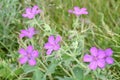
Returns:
(96, 58)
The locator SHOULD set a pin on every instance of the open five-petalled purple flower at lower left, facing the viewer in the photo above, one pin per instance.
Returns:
(28, 55)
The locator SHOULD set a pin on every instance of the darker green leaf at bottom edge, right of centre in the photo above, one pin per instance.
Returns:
(78, 73)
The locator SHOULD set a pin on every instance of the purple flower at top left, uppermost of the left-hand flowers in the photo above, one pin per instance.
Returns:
(31, 12)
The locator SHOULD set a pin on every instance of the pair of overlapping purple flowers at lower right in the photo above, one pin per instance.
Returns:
(99, 58)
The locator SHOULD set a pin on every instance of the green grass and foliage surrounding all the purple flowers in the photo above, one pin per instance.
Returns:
(99, 28)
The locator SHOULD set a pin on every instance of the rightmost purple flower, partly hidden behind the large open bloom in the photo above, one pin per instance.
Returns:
(108, 58)
